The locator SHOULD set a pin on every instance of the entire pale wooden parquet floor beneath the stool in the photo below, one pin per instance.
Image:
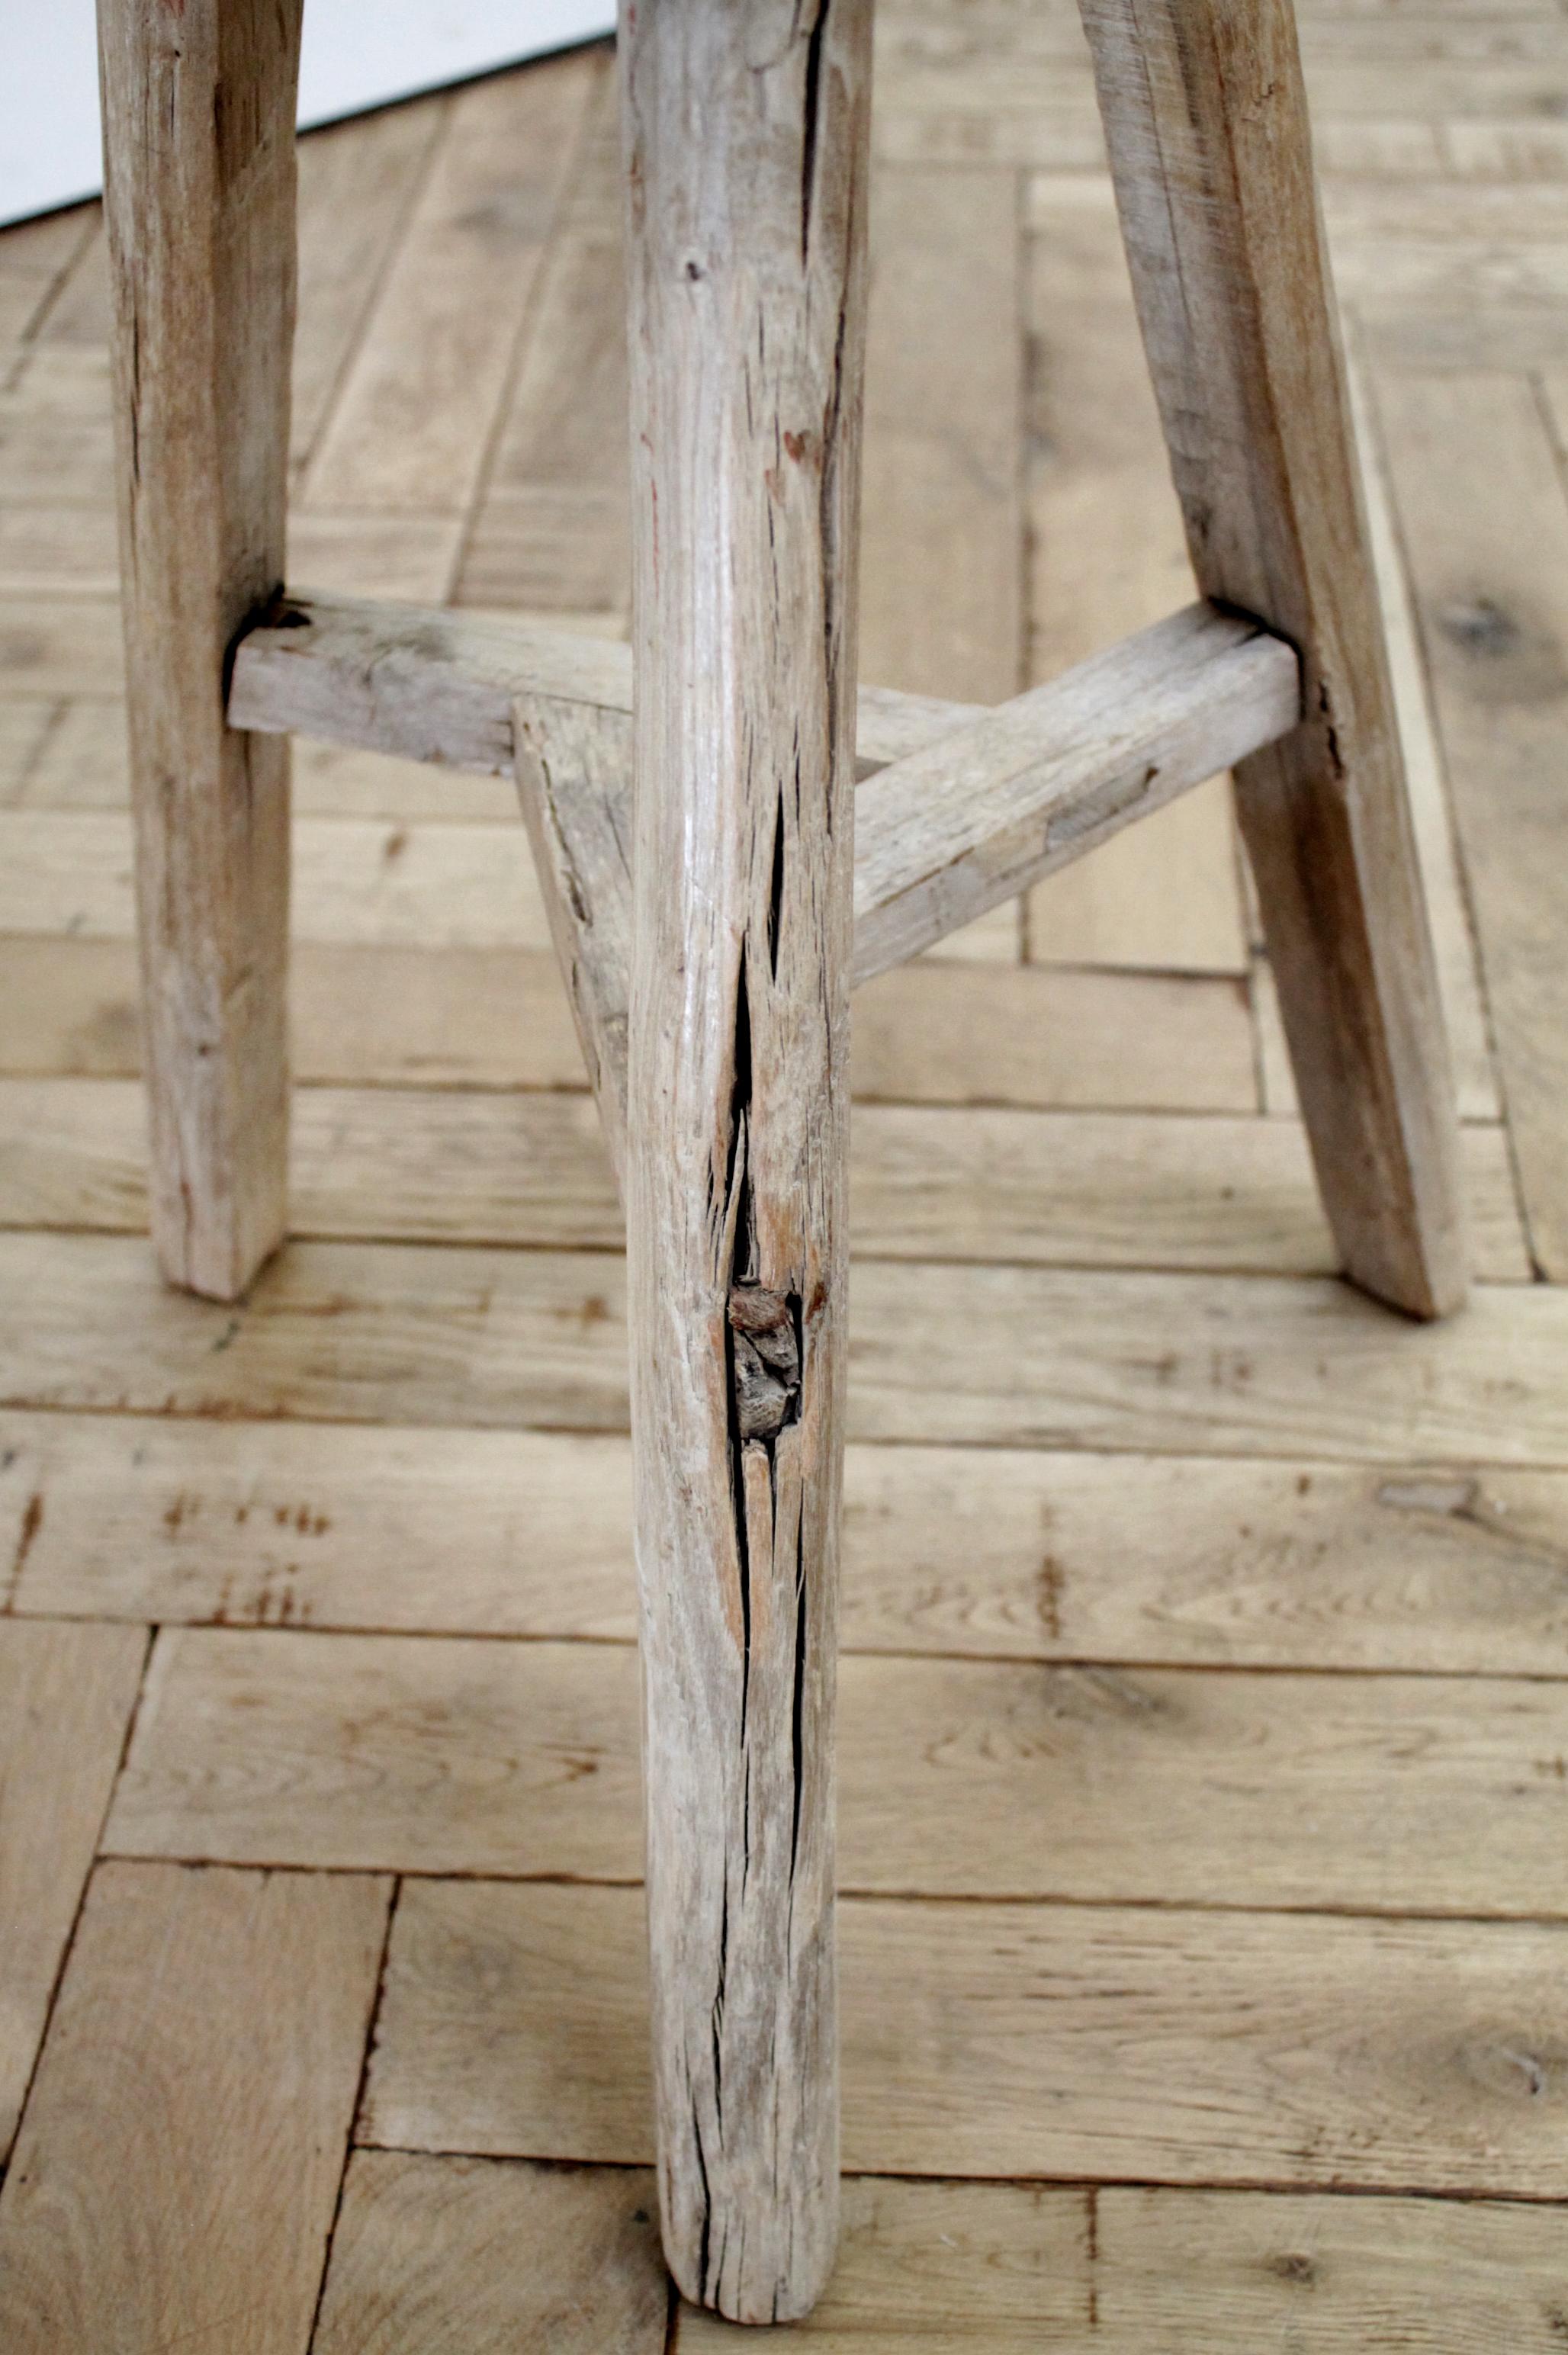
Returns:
(1204, 1628)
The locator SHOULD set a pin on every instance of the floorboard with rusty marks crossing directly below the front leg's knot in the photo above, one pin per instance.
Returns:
(948, 1551)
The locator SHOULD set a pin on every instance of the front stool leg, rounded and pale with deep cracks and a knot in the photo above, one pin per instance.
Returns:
(748, 197)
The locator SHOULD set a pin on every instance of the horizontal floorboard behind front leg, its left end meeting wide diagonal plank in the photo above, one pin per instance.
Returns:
(1178, 2048)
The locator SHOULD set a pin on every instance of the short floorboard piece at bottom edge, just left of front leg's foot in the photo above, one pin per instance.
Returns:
(460, 2255)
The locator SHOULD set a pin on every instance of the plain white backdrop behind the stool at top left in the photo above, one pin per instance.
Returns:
(357, 55)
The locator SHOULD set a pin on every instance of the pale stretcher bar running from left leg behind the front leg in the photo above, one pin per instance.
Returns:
(432, 684)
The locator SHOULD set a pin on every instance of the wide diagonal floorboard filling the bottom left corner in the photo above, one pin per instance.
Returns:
(178, 2163)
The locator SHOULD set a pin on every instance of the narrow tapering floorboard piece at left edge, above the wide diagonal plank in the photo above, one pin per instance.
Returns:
(65, 1706)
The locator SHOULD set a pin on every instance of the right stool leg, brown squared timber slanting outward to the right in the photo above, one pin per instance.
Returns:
(1207, 126)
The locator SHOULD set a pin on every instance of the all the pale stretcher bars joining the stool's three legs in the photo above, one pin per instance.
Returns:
(941, 840)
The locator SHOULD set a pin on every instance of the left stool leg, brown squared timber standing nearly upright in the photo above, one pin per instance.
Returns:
(199, 164)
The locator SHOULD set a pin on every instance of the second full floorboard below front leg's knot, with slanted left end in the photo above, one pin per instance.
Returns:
(959, 1779)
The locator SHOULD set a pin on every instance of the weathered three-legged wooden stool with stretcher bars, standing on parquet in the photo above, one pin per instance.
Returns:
(712, 971)
